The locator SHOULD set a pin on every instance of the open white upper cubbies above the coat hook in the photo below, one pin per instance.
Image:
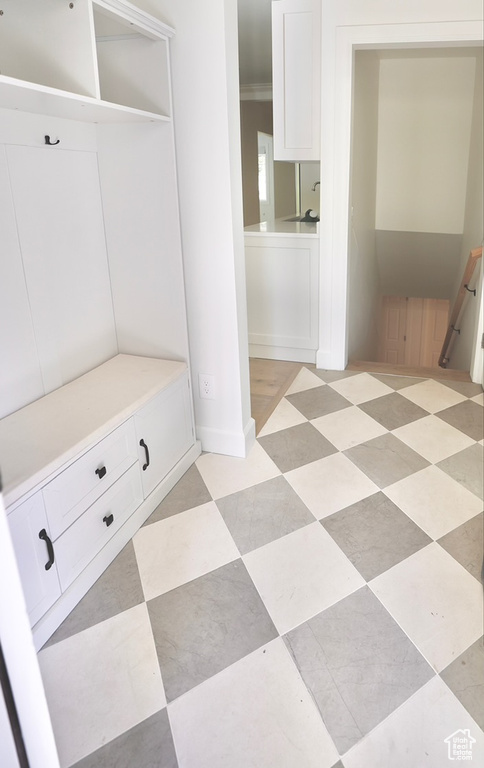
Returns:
(93, 60)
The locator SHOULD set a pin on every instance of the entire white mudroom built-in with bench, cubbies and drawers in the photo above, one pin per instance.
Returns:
(92, 286)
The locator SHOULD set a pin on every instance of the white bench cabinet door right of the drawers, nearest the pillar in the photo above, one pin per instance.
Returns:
(164, 432)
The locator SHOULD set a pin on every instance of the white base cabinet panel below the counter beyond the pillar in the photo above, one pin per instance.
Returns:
(282, 296)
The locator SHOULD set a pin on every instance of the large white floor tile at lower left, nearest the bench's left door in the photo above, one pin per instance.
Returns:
(101, 682)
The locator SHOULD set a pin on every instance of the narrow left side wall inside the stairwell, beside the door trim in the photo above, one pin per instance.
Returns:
(363, 274)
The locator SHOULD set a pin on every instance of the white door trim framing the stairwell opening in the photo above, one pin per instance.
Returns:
(336, 160)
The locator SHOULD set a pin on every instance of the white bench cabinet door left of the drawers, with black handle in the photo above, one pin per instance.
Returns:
(31, 541)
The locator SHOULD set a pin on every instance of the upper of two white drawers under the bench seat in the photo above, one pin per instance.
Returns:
(77, 487)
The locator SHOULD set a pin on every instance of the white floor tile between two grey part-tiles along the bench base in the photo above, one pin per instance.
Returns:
(181, 548)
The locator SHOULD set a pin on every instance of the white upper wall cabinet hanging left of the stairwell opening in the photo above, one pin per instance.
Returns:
(296, 62)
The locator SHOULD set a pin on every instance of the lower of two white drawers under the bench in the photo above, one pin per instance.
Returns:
(88, 535)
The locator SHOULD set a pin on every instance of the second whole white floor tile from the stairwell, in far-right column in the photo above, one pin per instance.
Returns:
(433, 438)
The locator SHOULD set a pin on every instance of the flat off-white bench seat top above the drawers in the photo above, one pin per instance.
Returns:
(39, 438)
